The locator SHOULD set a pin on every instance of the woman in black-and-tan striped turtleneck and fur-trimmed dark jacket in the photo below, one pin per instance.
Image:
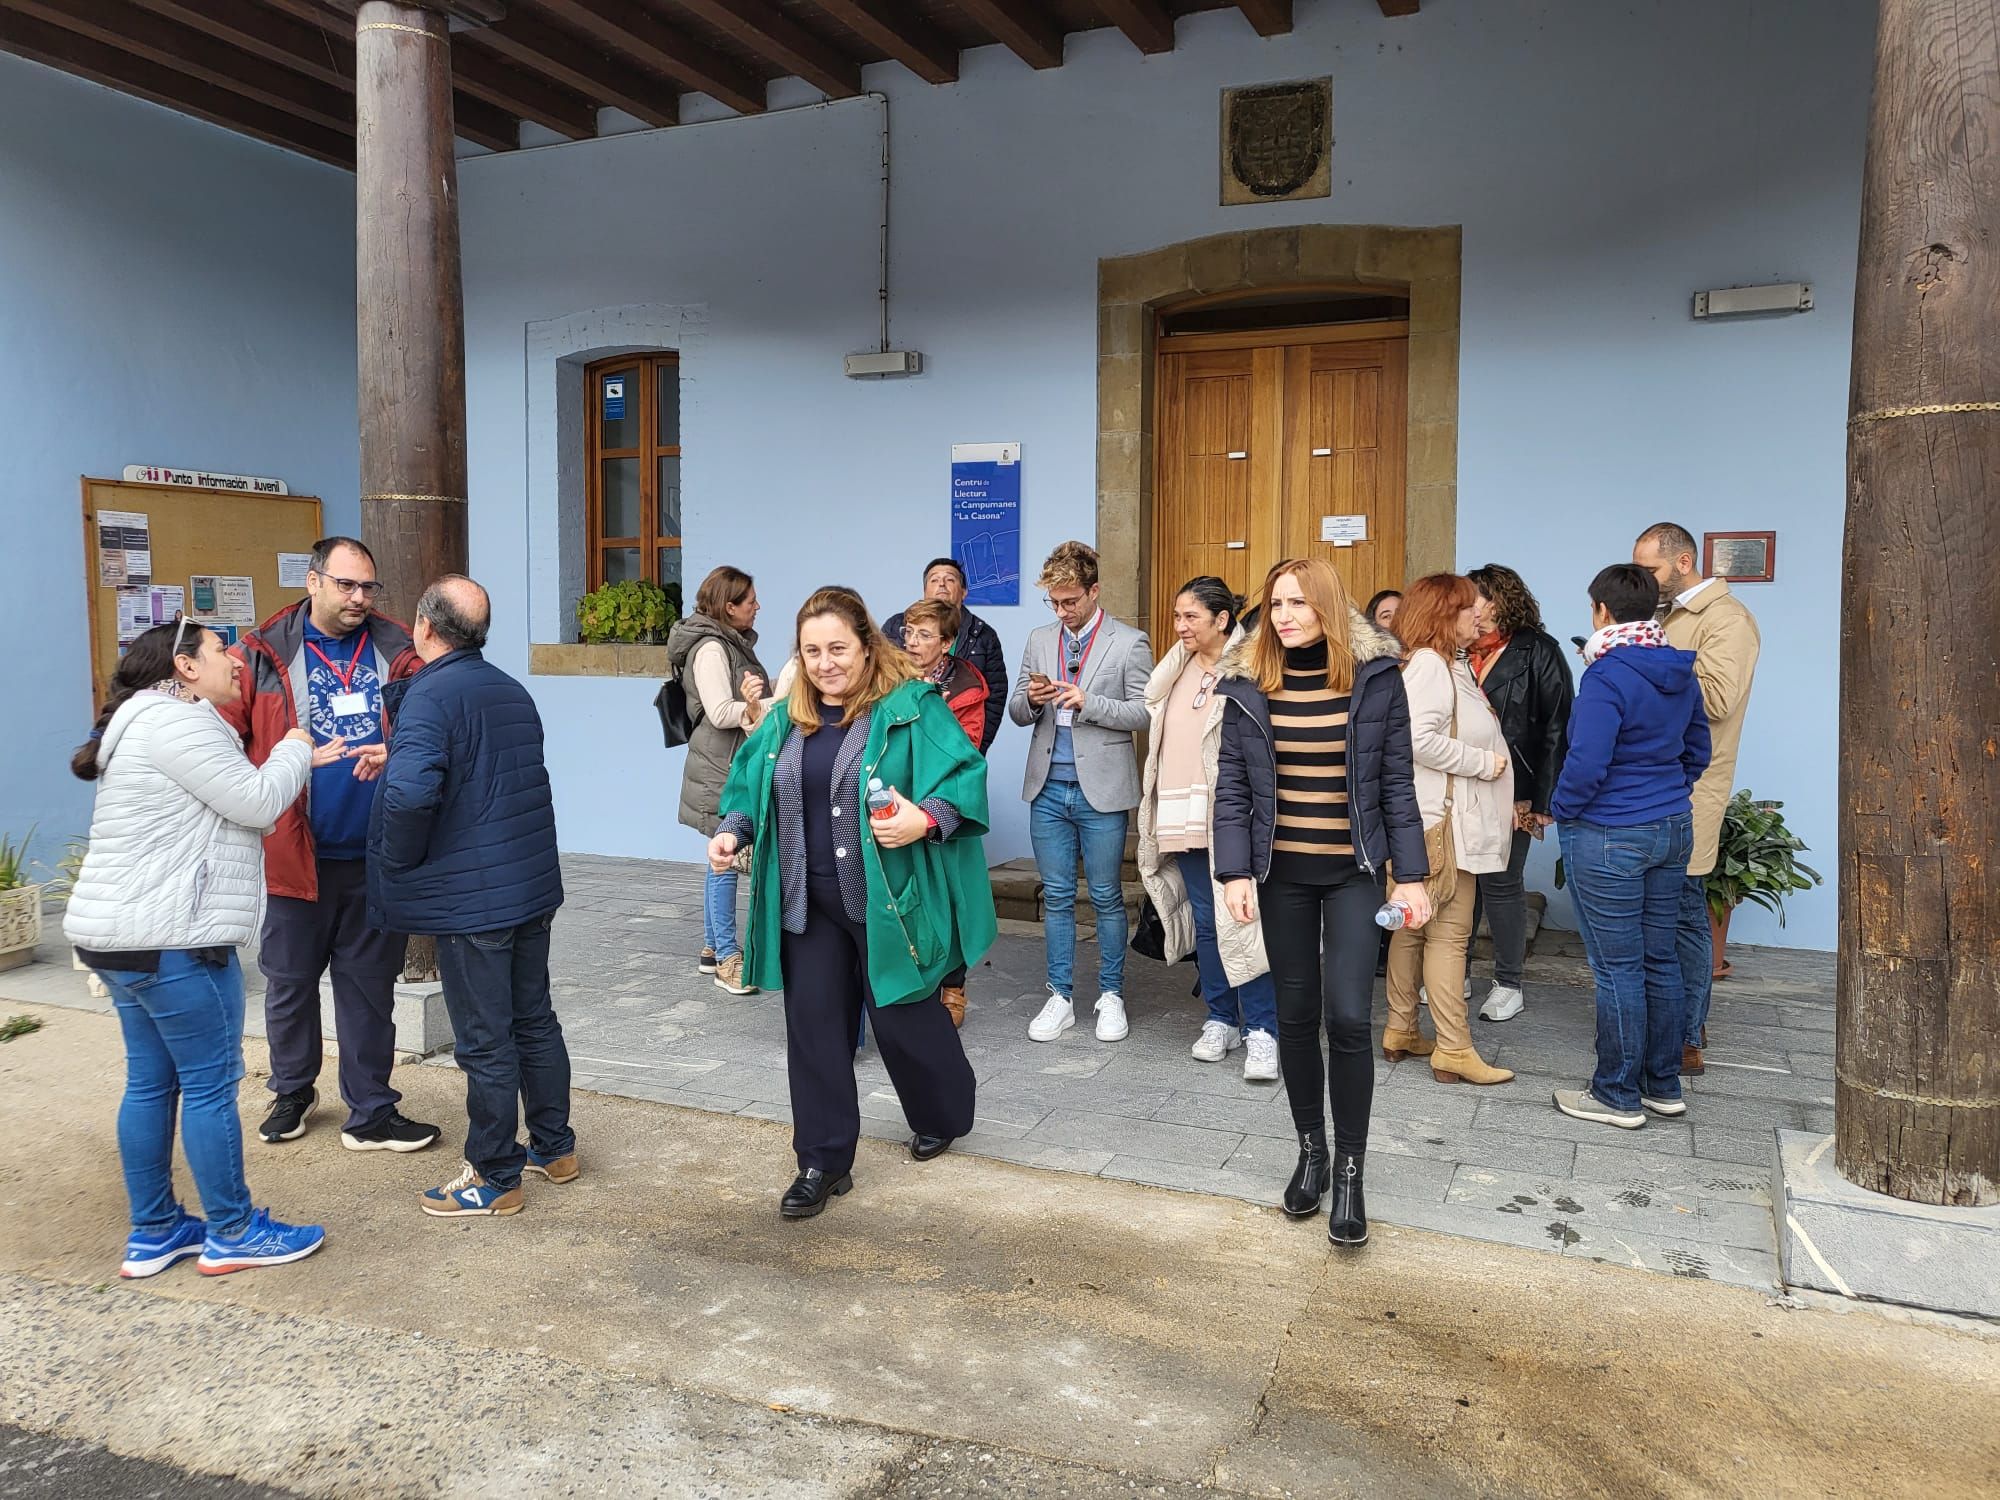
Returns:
(1315, 801)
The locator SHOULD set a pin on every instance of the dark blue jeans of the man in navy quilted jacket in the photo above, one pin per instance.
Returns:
(509, 1047)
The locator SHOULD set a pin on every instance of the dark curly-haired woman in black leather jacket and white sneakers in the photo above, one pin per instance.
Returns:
(1529, 683)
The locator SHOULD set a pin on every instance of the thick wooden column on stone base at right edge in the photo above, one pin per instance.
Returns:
(1919, 1027)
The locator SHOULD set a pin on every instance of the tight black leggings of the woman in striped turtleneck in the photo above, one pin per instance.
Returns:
(1323, 949)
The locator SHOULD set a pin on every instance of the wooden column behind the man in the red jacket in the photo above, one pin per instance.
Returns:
(413, 337)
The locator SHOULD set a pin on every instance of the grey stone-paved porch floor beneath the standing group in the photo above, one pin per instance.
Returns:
(1685, 1197)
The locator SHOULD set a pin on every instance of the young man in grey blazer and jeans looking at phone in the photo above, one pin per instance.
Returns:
(1083, 689)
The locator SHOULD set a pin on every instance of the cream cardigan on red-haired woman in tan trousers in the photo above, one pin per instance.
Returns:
(1473, 763)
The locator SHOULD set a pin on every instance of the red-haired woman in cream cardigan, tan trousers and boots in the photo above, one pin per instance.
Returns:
(1463, 775)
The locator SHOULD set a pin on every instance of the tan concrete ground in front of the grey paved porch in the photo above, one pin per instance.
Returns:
(655, 1329)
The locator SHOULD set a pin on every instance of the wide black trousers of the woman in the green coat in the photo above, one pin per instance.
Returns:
(827, 987)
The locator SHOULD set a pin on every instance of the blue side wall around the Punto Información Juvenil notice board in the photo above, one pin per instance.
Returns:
(173, 295)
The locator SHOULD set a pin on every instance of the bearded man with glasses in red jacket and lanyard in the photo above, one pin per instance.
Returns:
(323, 665)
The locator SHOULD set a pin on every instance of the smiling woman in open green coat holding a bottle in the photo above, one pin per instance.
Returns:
(861, 911)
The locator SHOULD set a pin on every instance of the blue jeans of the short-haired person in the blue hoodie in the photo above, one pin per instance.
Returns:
(1629, 887)
